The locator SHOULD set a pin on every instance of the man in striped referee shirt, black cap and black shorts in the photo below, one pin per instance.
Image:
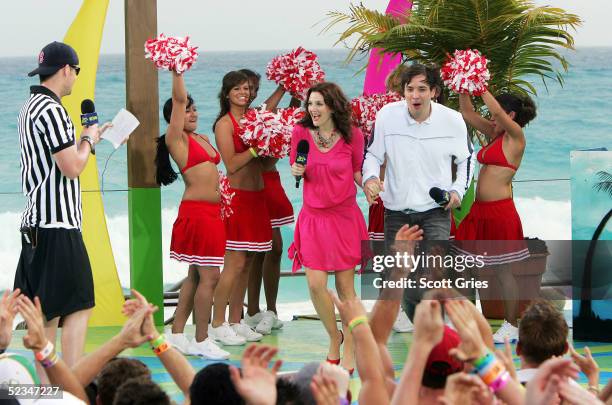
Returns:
(54, 264)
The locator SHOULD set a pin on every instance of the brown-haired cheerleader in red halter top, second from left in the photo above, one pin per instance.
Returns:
(248, 228)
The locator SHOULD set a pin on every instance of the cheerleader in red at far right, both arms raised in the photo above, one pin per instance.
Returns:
(493, 216)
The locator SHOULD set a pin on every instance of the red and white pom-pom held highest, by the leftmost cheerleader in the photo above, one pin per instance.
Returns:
(171, 53)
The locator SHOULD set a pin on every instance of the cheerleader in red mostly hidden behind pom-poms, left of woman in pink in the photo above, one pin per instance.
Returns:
(266, 265)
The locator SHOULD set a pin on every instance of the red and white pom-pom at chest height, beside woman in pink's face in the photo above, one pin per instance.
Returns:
(269, 132)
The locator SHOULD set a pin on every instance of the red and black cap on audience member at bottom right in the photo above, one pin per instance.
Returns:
(439, 363)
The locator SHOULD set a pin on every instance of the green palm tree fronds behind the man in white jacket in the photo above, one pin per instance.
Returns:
(517, 37)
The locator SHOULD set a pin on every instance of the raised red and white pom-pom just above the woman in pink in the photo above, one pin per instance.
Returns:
(296, 71)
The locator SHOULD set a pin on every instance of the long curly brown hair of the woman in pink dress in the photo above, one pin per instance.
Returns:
(334, 98)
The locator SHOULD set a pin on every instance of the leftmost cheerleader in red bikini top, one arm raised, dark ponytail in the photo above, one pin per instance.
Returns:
(198, 234)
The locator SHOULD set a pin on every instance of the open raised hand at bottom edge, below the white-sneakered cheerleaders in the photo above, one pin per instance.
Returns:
(257, 384)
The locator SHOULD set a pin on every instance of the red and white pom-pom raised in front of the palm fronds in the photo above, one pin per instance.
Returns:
(466, 72)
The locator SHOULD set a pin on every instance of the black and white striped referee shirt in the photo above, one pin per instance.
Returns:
(53, 200)
